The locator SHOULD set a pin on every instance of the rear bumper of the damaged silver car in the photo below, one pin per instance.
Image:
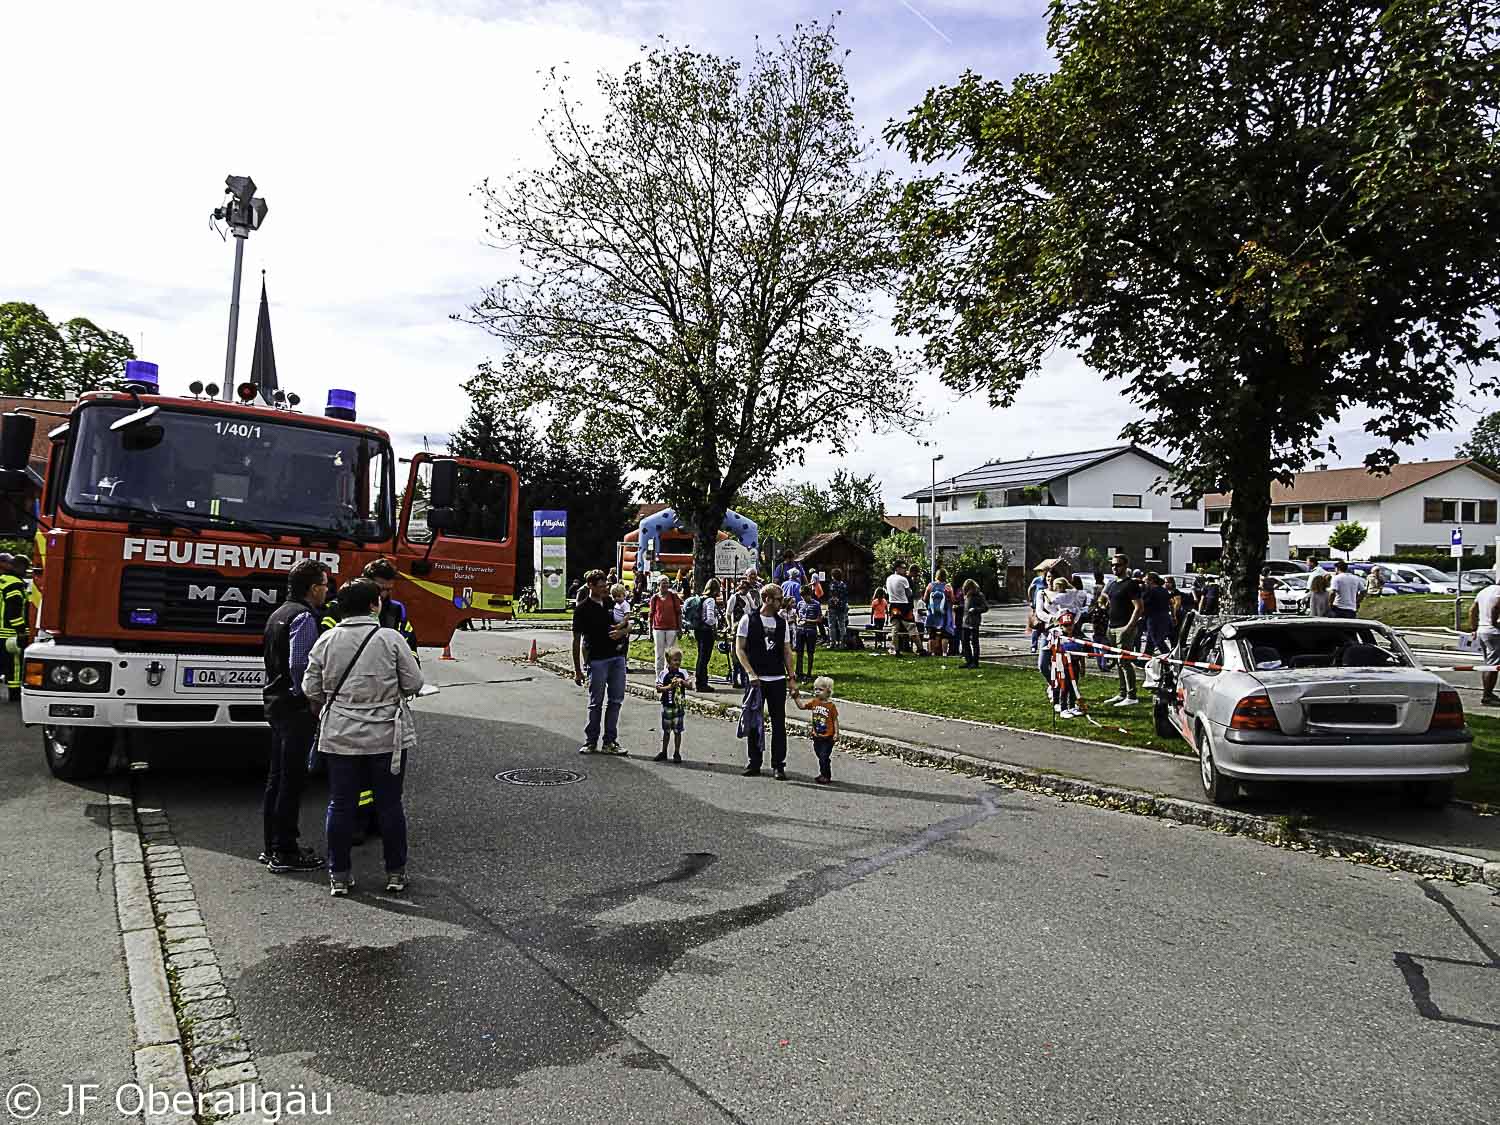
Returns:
(1352, 758)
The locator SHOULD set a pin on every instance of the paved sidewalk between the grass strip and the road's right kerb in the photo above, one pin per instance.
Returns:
(1351, 809)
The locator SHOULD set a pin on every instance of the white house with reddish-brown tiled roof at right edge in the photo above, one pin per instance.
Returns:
(1418, 505)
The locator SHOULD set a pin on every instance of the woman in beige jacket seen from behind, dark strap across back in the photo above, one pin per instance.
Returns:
(358, 682)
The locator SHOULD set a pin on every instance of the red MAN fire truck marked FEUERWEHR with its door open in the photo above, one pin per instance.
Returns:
(166, 530)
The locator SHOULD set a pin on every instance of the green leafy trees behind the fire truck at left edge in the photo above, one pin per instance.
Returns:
(59, 362)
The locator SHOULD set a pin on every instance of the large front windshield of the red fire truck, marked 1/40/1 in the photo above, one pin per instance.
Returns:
(206, 469)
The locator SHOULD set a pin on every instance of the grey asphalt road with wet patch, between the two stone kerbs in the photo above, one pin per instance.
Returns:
(683, 944)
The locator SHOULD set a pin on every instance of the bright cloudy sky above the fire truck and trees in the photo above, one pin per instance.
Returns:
(367, 127)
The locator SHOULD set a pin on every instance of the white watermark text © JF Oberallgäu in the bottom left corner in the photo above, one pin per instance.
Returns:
(25, 1102)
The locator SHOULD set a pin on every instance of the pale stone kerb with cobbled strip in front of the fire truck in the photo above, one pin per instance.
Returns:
(188, 1037)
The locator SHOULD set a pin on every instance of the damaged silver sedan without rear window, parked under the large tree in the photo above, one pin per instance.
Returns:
(1312, 700)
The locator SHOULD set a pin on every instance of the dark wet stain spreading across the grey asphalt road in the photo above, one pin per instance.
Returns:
(451, 1015)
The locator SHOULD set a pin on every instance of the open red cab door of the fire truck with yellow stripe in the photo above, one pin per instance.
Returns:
(457, 545)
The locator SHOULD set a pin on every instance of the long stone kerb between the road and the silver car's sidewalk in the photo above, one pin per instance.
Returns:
(1282, 832)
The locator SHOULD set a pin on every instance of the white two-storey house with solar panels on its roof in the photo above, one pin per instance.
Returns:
(1081, 508)
